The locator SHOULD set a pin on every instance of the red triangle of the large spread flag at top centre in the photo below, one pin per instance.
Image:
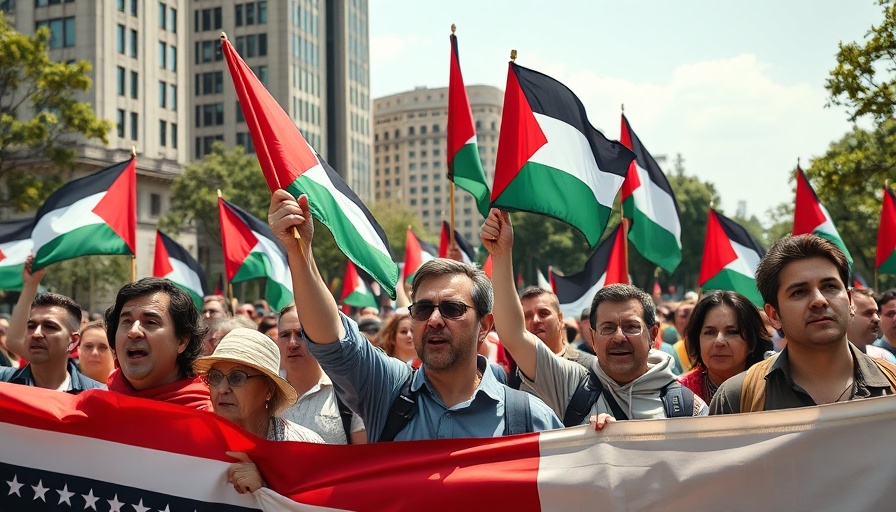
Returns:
(521, 135)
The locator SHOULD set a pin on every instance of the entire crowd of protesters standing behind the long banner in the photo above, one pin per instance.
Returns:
(462, 355)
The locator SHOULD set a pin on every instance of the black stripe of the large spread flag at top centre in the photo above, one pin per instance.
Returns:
(551, 98)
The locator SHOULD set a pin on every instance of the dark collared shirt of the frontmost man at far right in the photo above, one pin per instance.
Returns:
(781, 392)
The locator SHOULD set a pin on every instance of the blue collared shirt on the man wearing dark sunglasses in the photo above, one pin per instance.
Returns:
(369, 381)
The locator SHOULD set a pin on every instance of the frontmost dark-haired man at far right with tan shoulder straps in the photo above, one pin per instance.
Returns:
(802, 281)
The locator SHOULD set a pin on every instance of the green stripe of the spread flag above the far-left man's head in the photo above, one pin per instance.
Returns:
(84, 241)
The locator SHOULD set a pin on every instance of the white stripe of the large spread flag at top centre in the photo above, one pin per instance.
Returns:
(568, 151)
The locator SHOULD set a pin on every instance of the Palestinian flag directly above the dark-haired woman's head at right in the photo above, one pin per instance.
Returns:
(730, 258)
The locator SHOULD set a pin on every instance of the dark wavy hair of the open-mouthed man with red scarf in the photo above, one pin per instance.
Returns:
(181, 308)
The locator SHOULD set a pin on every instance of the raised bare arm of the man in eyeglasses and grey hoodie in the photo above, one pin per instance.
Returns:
(510, 322)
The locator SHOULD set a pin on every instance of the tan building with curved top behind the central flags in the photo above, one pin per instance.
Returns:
(409, 153)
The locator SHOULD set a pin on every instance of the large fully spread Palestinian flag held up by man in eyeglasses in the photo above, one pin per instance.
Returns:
(551, 160)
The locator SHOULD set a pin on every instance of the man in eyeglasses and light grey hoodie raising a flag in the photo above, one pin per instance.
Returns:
(627, 381)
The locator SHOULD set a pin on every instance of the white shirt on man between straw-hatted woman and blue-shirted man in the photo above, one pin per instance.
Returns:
(318, 410)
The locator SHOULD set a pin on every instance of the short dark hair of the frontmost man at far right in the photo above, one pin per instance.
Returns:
(795, 248)
